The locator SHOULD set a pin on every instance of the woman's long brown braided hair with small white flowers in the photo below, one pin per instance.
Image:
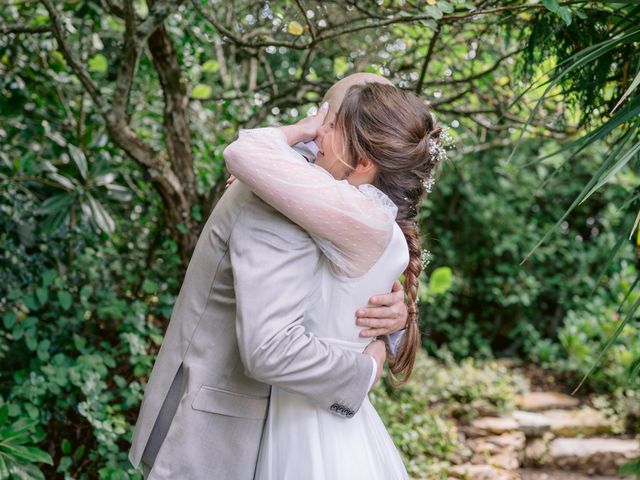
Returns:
(397, 132)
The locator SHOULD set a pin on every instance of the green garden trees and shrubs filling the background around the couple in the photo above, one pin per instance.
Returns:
(113, 118)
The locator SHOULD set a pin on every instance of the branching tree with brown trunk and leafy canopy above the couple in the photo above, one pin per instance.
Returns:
(120, 53)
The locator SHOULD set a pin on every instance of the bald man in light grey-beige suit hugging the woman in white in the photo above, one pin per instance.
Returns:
(237, 328)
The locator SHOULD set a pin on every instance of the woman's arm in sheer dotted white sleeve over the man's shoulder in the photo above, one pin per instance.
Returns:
(355, 225)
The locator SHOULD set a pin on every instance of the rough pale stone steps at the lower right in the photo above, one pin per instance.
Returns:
(550, 437)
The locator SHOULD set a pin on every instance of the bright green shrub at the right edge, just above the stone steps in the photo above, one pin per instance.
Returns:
(580, 341)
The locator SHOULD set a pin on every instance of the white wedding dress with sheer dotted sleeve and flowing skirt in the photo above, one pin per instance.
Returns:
(364, 253)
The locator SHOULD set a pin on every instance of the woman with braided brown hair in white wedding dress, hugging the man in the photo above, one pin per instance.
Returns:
(359, 203)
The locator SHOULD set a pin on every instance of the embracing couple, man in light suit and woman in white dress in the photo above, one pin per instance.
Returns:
(266, 365)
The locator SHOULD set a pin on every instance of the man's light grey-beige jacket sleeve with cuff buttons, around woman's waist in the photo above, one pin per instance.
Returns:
(273, 264)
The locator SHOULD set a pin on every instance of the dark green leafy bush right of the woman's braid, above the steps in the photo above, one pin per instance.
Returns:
(482, 218)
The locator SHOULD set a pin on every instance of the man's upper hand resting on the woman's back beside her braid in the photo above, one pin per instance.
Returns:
(387, 315)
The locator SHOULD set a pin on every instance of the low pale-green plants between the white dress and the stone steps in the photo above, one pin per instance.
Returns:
(419, 415)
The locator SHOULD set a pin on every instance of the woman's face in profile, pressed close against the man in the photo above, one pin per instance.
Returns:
(331, 153)
